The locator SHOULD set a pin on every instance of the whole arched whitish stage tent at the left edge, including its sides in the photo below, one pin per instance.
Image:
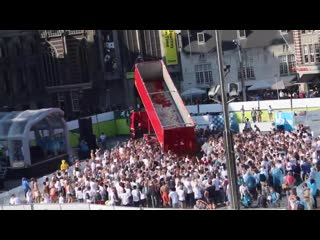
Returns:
(22, 131)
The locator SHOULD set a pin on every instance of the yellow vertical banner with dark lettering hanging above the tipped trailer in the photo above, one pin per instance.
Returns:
(170, 47)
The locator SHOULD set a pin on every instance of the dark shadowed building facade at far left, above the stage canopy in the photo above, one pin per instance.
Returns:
(21, 71)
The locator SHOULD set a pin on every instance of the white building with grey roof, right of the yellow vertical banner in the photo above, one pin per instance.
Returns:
(267, 55)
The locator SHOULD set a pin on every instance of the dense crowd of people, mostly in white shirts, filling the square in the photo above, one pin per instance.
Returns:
(136, 173)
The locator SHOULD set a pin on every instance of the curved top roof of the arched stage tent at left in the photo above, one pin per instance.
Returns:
(13, 125)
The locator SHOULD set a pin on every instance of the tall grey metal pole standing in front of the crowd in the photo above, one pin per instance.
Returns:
(231, 164)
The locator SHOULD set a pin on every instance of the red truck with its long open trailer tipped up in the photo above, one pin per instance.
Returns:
(165, 113)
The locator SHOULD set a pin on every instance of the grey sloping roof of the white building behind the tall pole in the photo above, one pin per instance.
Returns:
(254, 39)
